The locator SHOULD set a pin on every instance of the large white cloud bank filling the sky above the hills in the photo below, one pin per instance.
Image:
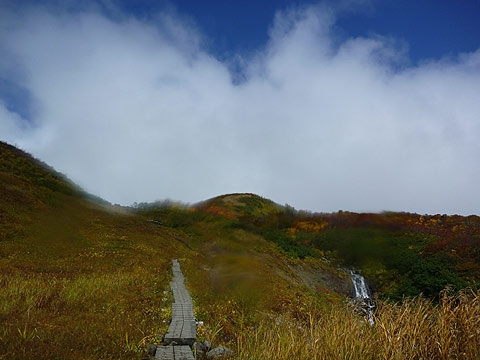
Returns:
(140, 110)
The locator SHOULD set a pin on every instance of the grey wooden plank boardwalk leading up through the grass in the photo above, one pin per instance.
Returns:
(182, 332)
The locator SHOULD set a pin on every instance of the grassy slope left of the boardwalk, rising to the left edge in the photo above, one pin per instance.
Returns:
(76, 280)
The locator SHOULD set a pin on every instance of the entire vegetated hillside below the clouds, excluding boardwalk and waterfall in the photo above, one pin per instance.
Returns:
(80, 278)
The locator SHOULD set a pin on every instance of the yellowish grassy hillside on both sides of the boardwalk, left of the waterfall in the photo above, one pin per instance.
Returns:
(84, 279)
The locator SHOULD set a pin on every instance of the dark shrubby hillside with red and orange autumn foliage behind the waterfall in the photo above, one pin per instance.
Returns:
(401, 254)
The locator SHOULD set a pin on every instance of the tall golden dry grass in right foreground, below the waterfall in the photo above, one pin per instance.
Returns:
(413, 329)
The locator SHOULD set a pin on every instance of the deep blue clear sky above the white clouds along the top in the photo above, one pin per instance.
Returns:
(432, 29)
